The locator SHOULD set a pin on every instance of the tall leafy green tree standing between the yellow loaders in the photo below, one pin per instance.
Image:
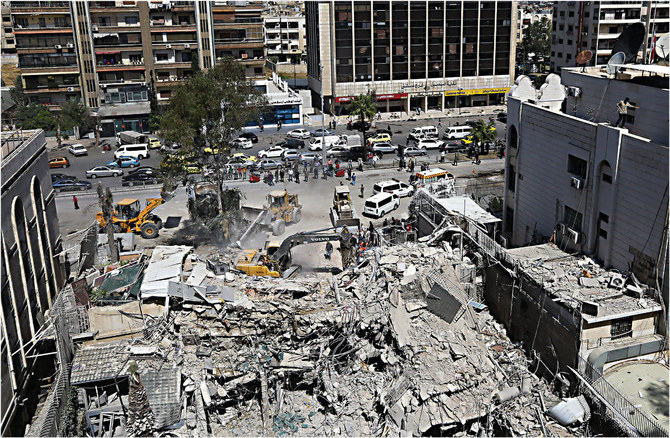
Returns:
(208, 111)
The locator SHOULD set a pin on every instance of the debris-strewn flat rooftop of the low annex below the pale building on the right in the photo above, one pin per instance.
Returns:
(562, 276)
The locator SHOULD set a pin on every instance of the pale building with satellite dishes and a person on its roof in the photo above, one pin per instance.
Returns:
(602, 190)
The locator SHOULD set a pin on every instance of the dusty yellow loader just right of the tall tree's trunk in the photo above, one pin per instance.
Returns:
(280, 209)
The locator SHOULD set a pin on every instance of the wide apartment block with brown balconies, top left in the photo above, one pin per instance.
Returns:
(115, 54)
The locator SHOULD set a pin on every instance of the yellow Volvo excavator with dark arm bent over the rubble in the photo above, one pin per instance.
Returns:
(275, 258)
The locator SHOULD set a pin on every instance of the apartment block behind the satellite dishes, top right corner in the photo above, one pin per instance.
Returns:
(595, 25)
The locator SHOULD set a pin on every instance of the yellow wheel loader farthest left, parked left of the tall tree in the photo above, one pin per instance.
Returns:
(128, 217)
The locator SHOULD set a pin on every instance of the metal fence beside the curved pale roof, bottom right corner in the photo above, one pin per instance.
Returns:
(624, 409)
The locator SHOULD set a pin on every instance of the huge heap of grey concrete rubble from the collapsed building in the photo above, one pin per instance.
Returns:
(282, 357)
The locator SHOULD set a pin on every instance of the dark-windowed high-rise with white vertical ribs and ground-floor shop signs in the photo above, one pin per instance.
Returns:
(428, 55)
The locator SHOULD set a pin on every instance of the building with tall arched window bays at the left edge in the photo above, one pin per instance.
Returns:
(31, 272)
